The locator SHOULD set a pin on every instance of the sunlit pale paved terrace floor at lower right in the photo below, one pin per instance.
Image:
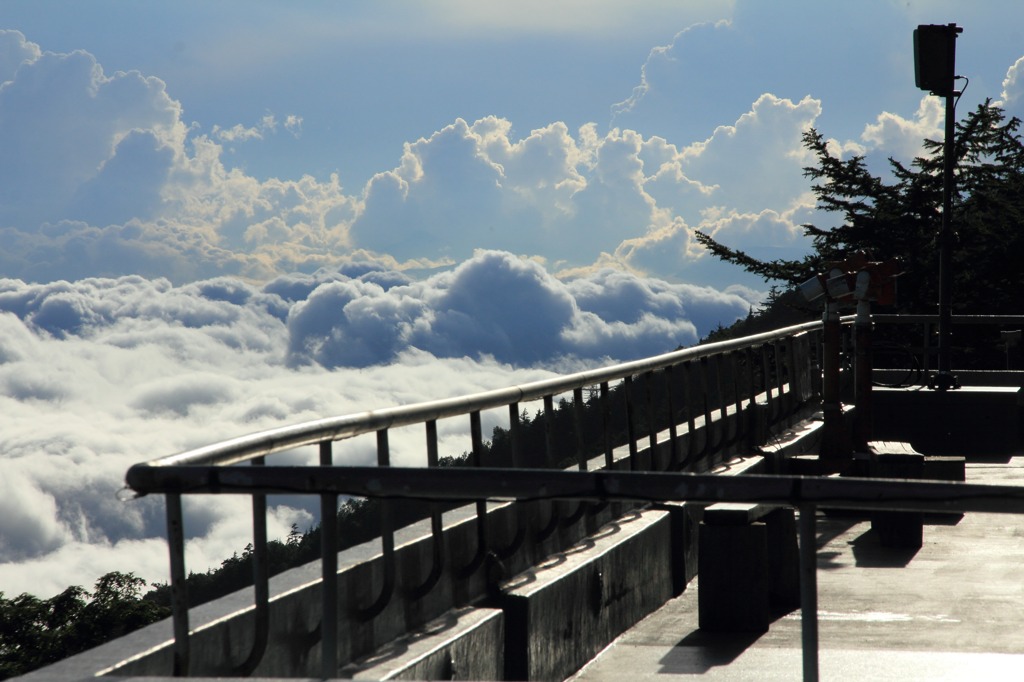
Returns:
(952, 611)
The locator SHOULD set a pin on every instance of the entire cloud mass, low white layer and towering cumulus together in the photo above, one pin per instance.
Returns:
(156, 300)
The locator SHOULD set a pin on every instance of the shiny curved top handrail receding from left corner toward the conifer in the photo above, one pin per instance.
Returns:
(313, 433)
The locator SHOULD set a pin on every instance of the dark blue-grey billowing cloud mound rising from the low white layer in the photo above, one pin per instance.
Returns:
(504, 308)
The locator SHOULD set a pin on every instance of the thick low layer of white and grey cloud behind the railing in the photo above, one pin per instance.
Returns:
(98, 374)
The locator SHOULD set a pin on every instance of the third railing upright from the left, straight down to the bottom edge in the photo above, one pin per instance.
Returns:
(329, 574)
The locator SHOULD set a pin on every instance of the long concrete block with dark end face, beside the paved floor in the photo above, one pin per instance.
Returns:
(561, 615)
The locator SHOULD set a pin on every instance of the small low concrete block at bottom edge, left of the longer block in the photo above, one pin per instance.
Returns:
(466, 645)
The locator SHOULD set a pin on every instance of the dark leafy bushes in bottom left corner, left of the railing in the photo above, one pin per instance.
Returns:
(36, 632)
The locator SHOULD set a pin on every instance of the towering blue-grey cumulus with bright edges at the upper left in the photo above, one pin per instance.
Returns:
(105, 179)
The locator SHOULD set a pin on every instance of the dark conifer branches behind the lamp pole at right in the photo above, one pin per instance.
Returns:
(902, 219)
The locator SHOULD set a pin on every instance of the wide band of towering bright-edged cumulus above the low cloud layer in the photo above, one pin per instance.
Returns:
(124, 187)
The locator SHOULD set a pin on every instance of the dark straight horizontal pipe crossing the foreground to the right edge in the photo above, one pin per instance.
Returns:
(468, 484)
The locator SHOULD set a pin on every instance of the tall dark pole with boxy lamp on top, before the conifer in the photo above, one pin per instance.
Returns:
(934, 61)
